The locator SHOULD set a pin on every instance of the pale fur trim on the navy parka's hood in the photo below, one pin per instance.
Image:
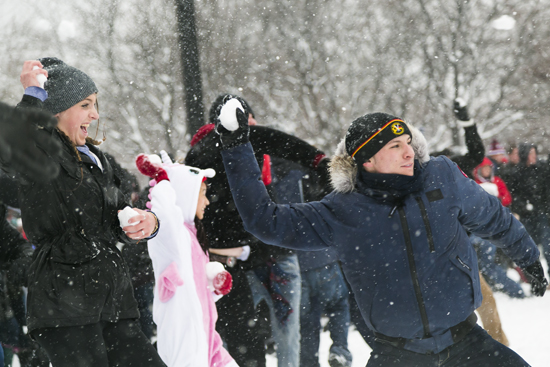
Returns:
(343, 169)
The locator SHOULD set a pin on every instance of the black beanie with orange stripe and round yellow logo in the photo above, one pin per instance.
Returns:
(369, 133)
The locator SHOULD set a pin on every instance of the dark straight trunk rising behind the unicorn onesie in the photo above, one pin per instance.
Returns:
(187, 33)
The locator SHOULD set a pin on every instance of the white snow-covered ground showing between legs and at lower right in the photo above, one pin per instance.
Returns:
(526, 323)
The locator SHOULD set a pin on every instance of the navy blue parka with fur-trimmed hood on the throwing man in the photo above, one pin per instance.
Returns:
(410, 265)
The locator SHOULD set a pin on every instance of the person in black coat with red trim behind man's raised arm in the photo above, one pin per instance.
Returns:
(224, 228)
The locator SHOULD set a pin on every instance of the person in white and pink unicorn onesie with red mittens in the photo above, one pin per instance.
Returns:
(186, 282)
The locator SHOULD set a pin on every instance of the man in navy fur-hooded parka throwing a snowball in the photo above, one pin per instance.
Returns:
(398, 221)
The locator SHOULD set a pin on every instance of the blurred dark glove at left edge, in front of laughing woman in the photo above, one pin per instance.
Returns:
(19, 136)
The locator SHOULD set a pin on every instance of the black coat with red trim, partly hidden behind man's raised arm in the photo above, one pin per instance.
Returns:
(222, 222)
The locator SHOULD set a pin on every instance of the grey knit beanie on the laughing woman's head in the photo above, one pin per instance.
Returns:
(66, 85)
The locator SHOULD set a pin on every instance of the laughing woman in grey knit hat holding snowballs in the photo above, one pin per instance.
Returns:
(81, 307)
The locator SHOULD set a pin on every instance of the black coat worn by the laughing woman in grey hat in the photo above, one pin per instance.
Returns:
(77, 276)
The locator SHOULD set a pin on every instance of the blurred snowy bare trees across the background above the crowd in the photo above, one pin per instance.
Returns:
(306, 67)
